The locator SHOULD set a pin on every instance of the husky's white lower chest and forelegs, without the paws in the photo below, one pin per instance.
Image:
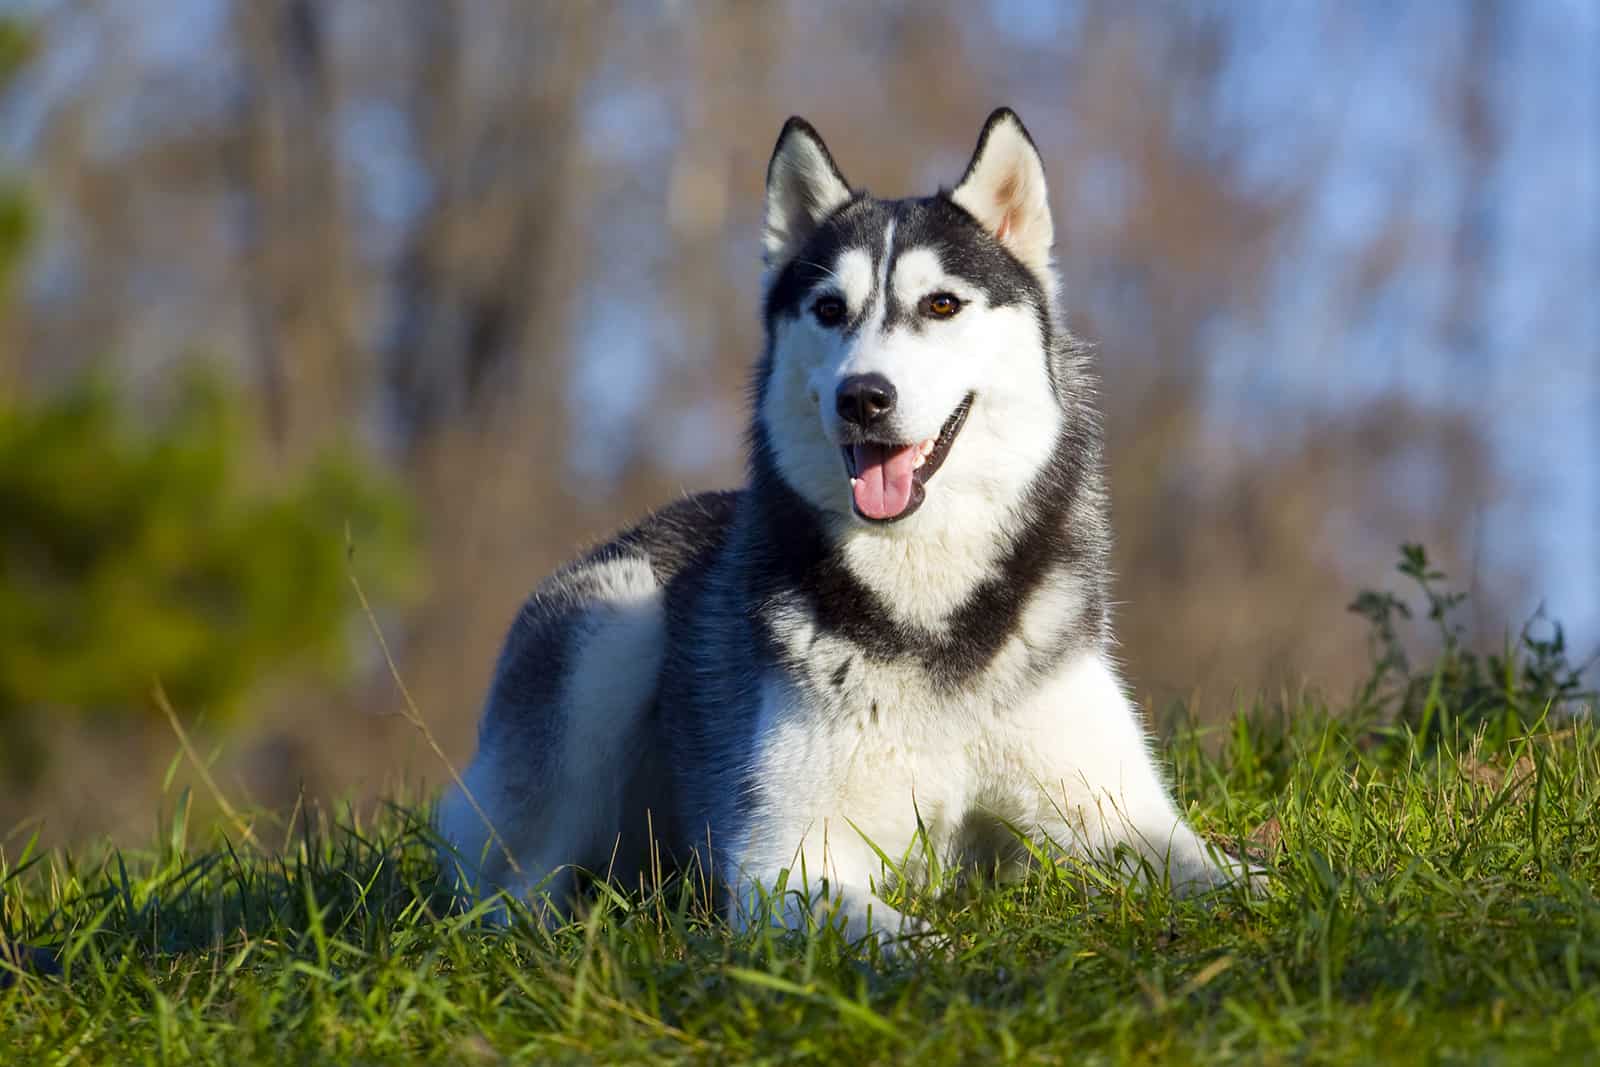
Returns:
(862, 770)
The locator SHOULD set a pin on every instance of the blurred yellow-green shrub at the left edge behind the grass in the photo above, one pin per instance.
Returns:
(153, 551)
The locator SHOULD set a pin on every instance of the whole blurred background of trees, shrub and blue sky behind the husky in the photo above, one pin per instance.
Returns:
(433, 292)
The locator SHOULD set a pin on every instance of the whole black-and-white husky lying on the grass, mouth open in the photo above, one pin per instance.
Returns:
(894, 641)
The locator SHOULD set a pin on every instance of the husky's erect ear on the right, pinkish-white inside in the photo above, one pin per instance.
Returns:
(1004, 188)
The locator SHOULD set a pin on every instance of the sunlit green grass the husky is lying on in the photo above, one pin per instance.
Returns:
(1426, 906)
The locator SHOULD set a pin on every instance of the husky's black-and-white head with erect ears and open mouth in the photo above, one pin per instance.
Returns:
(911, 374)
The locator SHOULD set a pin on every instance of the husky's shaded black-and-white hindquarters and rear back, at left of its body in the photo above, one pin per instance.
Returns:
(572, 713)
